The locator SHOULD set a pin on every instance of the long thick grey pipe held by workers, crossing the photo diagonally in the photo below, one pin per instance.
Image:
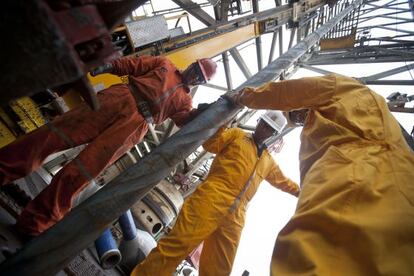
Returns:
(51, 251)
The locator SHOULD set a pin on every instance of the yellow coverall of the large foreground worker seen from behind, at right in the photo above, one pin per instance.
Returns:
(355, 214)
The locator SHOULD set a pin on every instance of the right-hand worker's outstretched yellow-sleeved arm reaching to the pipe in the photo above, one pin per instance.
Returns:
(289, 94)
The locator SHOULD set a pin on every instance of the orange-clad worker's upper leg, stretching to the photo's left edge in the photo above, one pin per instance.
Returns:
(81, 125)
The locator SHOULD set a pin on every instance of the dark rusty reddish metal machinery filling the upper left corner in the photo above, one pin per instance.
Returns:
(48, 46)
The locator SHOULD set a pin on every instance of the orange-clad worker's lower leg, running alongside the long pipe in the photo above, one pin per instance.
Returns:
(56, 200)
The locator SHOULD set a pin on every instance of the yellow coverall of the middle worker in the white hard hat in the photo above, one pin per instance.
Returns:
(206, 215)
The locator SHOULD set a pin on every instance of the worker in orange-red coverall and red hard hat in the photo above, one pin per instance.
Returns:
(109, 132)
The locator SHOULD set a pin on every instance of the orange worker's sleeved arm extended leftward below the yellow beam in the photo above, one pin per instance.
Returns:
(136, 65)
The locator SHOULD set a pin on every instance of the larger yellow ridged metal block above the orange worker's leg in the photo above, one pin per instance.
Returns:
(29, 114)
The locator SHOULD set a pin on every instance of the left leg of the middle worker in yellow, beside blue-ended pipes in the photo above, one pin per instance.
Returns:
(198, 218)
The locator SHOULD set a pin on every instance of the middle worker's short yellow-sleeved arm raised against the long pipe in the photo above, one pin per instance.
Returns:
(221, 139)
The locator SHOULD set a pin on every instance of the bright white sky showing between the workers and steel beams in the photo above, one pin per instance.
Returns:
(271, 209)
